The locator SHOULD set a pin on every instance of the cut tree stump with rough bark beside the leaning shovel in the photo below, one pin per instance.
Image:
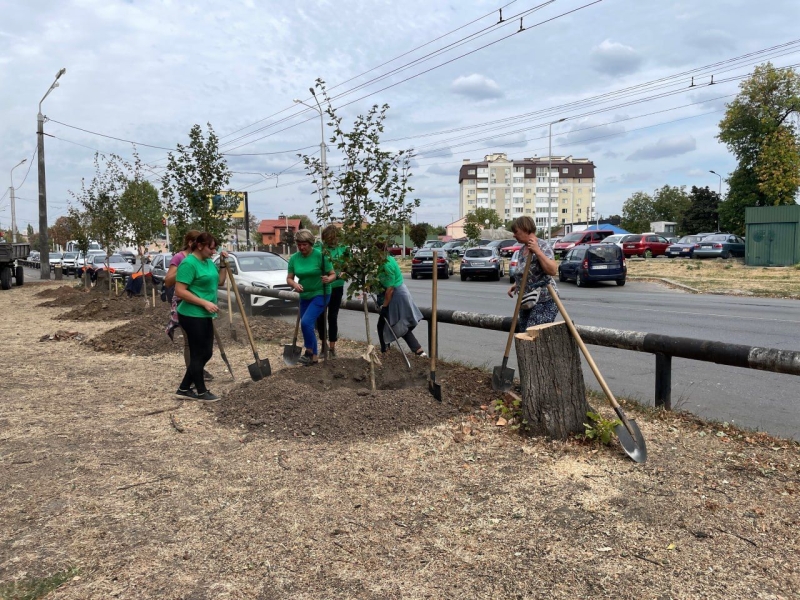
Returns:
(553, 392)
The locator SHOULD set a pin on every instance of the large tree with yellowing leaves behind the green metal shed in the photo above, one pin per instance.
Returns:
(760, 132)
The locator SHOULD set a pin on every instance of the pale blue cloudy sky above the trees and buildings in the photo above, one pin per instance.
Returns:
(460, 84)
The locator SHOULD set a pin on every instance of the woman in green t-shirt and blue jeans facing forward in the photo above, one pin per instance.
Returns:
(314, 272)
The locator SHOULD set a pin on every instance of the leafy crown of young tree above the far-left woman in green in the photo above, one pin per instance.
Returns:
(195, 186)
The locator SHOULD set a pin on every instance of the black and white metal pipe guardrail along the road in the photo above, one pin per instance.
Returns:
(663, 346)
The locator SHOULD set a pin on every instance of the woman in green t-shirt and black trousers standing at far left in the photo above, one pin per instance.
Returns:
(196, 284)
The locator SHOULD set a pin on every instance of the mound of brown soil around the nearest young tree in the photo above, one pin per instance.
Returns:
(333, 400)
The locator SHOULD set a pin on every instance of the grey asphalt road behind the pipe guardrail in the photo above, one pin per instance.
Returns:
(753, 399)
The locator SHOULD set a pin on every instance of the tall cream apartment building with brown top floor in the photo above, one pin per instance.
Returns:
(522, 187)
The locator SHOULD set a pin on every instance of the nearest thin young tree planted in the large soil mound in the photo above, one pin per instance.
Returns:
(372, 185)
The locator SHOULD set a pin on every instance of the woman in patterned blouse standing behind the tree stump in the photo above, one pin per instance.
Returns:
(537, 306)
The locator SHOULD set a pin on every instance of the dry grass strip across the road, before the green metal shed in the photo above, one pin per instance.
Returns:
(718, 276)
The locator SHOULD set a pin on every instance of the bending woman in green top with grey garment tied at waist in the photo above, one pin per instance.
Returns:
(398, 309)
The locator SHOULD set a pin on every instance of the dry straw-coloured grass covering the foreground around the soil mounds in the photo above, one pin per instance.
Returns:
(96, 476)
